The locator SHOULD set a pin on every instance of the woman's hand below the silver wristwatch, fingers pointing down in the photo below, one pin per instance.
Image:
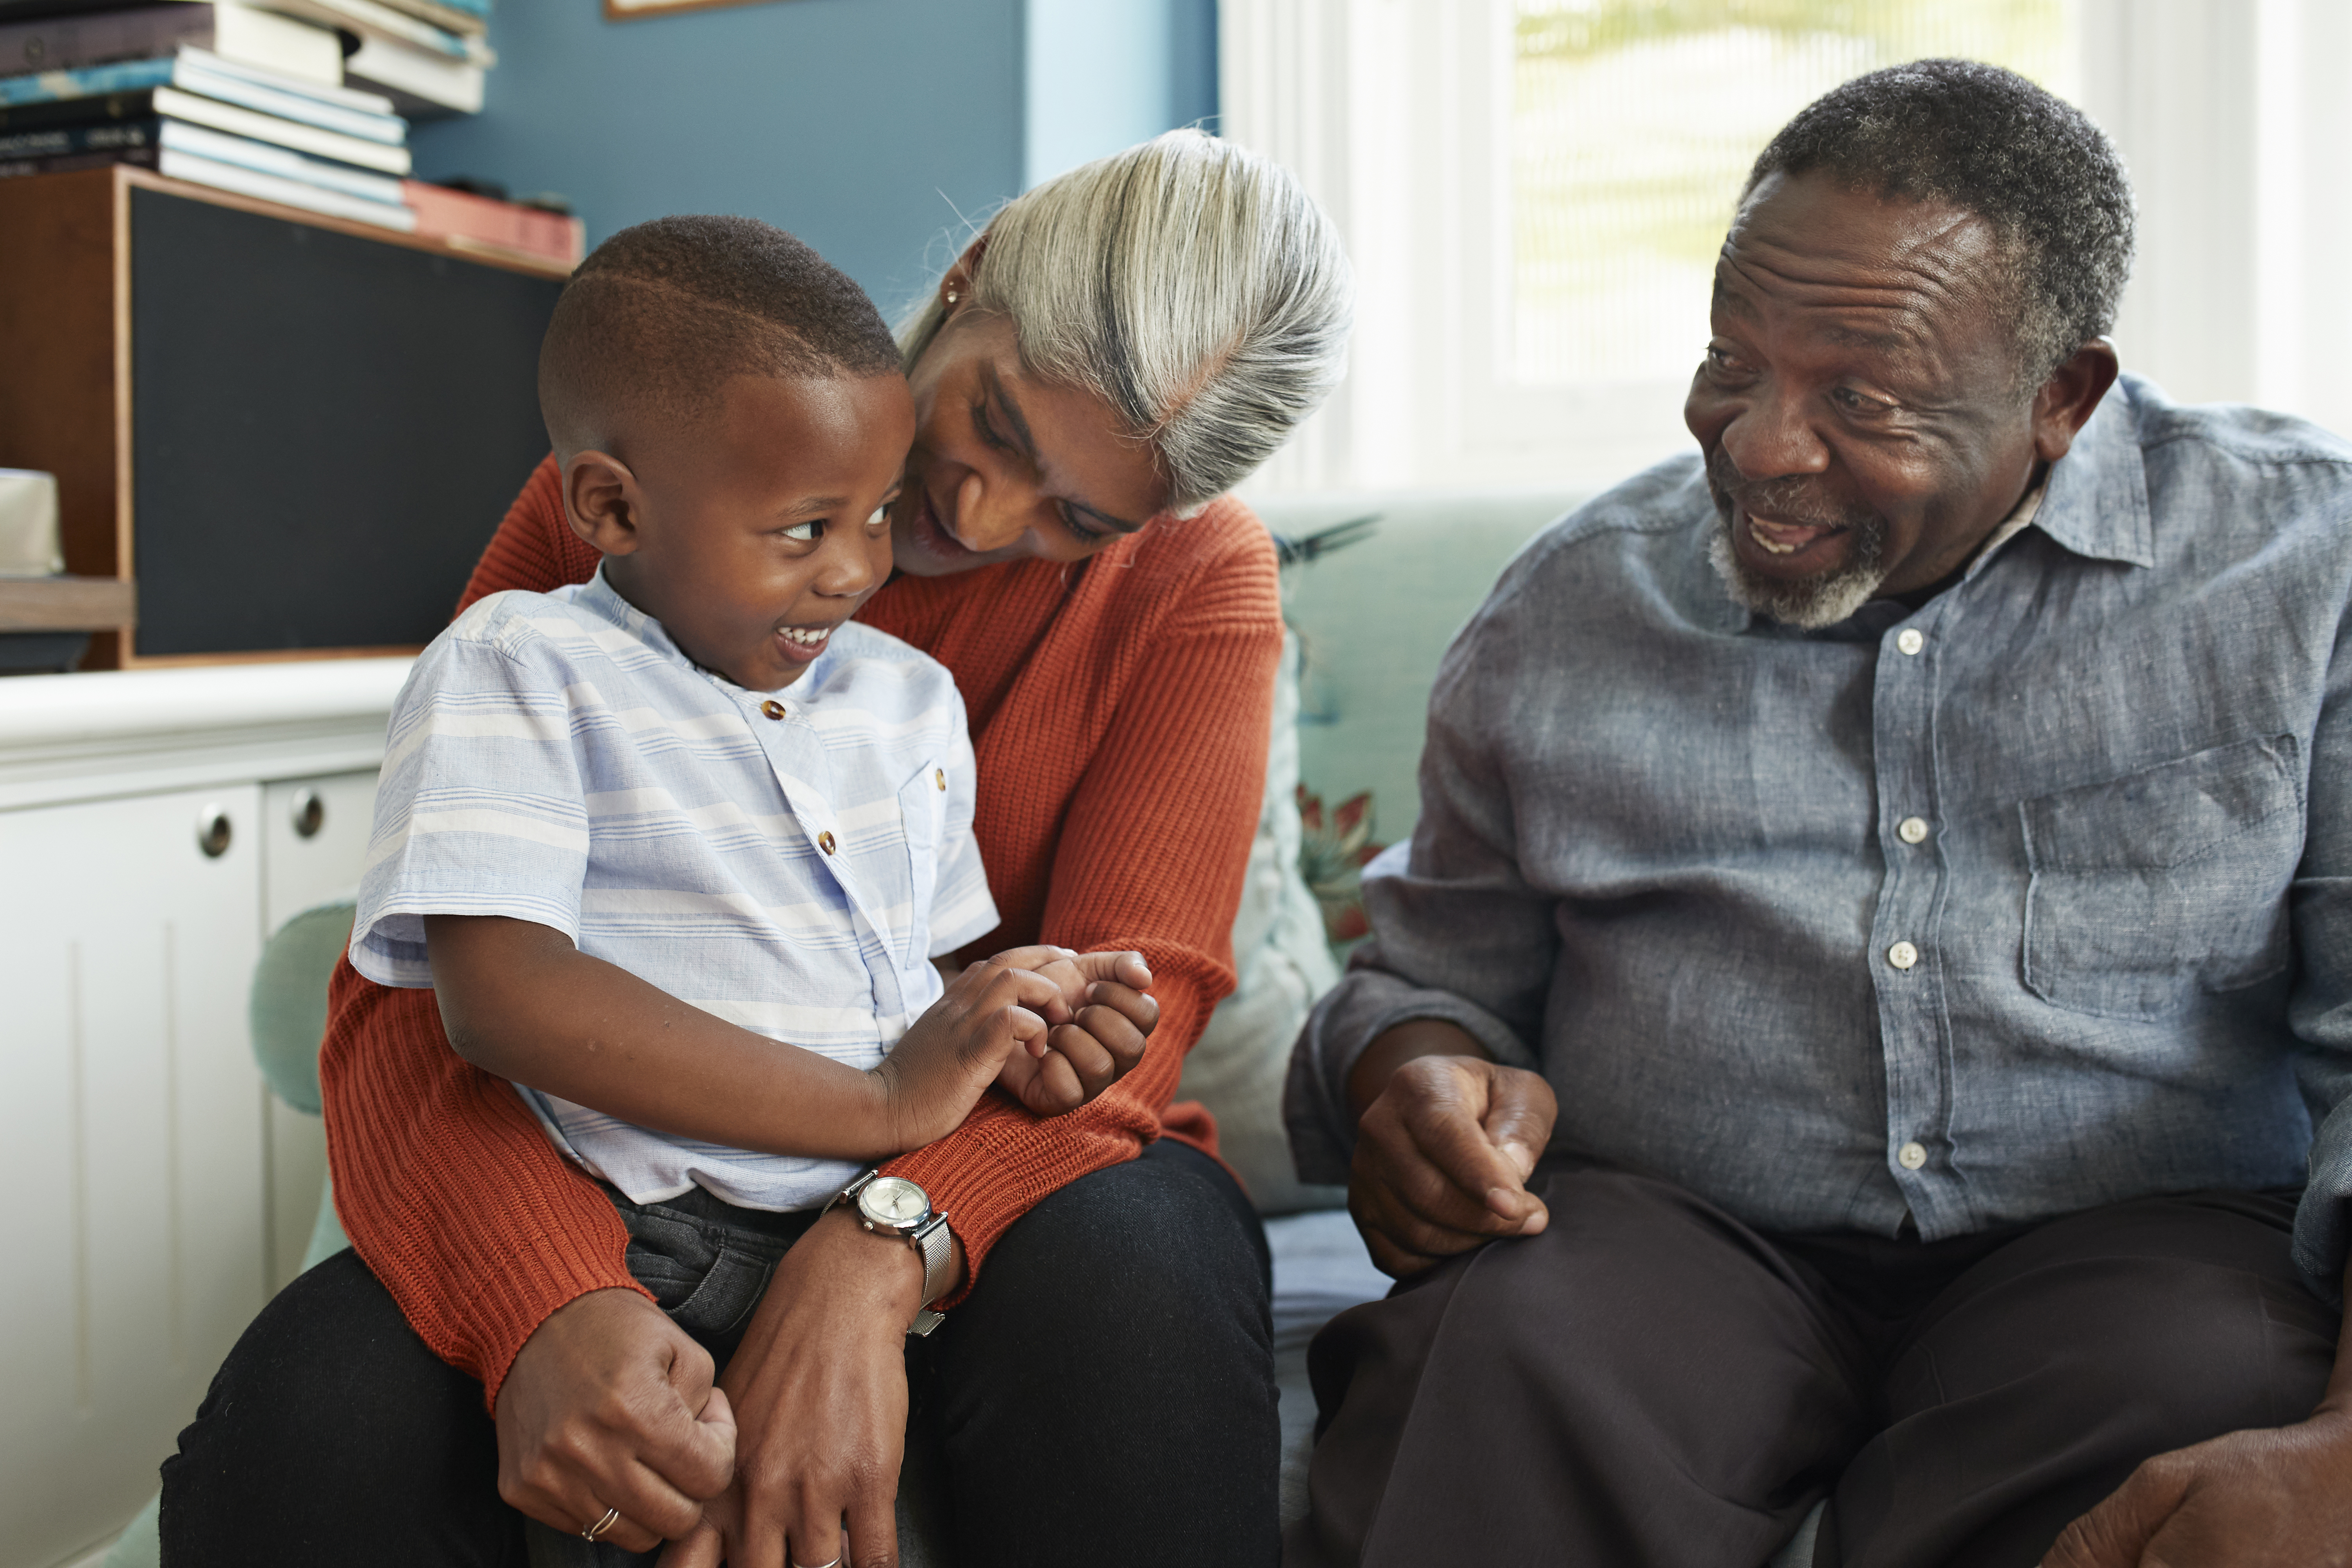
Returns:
(820, 1398)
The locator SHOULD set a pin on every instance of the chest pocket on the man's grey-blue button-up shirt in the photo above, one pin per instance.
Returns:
(2165, 883)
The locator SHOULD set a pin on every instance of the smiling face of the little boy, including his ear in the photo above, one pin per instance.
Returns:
(756, 530)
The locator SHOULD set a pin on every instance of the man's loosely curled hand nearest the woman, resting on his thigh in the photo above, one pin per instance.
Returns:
(1443, 1148)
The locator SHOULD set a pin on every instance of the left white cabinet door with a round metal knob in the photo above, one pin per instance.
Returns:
(131, 1144)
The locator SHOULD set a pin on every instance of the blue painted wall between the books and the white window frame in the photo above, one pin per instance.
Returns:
(862, 126)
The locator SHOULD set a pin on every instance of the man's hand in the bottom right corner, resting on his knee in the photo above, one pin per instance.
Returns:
(2278, 1499)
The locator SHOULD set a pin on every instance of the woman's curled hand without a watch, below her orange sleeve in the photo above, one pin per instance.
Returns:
(610, 1405)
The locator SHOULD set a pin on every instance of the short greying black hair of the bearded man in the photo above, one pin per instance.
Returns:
(1991, 142)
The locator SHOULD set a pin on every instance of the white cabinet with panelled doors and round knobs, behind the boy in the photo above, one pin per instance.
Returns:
(154, 1193)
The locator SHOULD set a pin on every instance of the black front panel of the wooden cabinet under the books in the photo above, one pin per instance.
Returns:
(326, 429)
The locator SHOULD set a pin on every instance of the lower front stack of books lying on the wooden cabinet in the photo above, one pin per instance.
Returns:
(203, 116)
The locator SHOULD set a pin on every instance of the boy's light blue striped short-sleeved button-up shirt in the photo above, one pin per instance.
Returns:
(789, 862)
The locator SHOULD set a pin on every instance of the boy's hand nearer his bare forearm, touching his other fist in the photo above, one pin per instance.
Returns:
(949, 1059)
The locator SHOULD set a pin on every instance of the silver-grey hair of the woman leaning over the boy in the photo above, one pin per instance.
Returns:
(1189, 283)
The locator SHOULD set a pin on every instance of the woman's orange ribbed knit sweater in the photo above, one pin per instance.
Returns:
(1118, 718)
